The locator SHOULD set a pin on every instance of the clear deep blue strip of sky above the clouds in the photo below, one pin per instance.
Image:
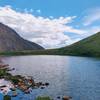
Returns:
(54, 8)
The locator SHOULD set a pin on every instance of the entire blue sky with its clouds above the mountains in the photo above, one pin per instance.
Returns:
(52, 23)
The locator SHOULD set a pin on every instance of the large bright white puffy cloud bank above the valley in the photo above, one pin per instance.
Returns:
(44, 31)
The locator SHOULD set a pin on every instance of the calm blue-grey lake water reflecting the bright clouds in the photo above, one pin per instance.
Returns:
(78, 77)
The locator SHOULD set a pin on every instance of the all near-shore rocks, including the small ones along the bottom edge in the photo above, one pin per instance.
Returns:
(22, 83)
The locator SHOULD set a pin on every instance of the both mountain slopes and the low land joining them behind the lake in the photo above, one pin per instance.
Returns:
(11, 41)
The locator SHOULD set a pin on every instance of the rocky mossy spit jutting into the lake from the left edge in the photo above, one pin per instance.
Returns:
(25, 84)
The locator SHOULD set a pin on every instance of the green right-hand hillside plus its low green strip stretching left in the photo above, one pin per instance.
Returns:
(87, 47)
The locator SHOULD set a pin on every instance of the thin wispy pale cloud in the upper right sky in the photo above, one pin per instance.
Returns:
(93, 15)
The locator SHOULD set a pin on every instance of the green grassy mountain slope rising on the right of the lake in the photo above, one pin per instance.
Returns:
(87, 47)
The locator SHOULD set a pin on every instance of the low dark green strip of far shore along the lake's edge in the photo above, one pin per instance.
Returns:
(51, 52)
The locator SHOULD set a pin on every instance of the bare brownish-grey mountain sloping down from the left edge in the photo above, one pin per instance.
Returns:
(11, 41)
